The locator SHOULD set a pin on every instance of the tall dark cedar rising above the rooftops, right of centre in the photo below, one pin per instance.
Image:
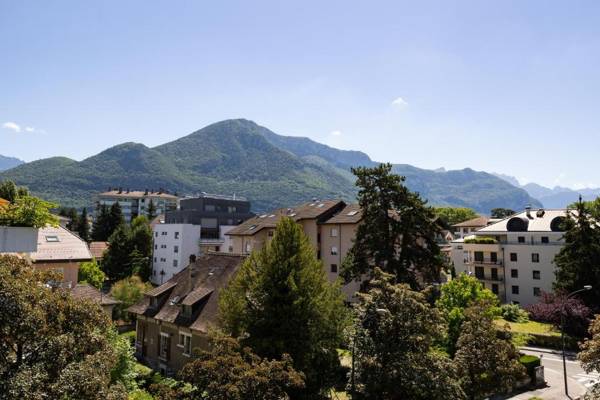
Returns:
(397, 232)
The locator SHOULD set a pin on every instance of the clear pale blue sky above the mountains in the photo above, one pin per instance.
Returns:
(506, 86)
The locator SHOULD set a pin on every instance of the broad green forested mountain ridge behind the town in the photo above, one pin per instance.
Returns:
(241, 157)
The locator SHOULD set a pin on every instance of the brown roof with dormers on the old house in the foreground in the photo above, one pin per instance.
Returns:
(210, 273)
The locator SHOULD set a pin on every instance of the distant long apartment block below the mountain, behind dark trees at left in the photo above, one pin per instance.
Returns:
(135, 202)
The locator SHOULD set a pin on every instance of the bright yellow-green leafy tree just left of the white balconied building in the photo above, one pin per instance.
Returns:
(456, 296)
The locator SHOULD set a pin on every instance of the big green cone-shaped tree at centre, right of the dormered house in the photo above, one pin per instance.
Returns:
(281, 302)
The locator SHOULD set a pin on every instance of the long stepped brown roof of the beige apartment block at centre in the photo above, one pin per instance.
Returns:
(309, 210)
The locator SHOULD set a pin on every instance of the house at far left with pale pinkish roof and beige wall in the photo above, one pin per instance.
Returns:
(60, 250)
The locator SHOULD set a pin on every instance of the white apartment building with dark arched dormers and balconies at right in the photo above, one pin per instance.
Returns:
(514, 257)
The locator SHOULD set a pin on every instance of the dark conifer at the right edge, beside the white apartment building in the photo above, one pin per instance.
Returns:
(578, 262)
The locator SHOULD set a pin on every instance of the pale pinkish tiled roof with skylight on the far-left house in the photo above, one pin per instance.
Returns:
(59, 244)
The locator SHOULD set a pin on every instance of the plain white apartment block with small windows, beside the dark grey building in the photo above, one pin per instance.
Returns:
(173, 246)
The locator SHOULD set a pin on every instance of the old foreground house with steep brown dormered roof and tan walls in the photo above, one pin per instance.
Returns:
(175, 317)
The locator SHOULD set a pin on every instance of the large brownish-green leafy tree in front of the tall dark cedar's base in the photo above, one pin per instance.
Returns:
(396, 330)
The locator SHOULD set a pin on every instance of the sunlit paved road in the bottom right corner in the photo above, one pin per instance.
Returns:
(577, 379)
